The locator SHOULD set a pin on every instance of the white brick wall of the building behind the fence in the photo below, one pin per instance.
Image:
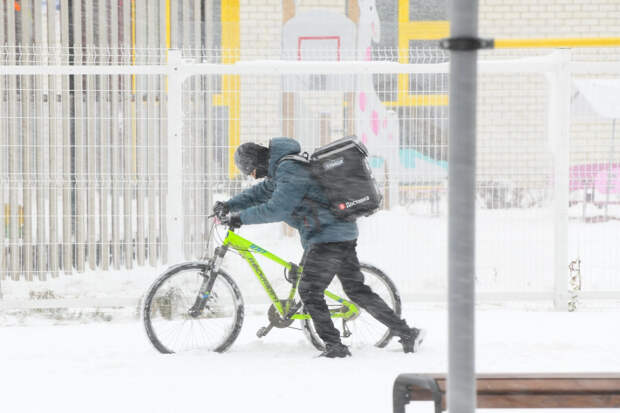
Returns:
(511, 114)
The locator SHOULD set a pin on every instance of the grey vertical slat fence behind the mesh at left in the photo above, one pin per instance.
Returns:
(84, 155)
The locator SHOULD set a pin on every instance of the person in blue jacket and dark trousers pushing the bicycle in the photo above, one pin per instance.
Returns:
(292, 194)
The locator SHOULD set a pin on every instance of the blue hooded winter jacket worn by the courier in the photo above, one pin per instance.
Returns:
(291, 194)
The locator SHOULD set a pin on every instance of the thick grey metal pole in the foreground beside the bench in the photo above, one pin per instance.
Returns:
(461, 392)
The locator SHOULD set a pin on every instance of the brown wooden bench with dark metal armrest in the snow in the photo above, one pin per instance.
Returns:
(504, 391)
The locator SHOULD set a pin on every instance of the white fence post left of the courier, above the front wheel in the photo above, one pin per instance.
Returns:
(174, 195)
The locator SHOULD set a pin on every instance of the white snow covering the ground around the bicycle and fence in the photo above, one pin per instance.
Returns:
(75, 363)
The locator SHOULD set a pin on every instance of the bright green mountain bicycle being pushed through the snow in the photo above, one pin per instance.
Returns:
(198, 305)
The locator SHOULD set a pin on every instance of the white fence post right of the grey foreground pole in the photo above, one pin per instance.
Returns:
(559, 121)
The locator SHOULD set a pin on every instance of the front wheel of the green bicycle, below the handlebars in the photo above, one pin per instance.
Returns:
(169, 313)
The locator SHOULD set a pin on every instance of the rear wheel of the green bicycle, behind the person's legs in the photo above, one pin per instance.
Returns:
(362, 330)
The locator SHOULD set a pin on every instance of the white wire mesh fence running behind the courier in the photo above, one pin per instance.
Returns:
(84, 160)
